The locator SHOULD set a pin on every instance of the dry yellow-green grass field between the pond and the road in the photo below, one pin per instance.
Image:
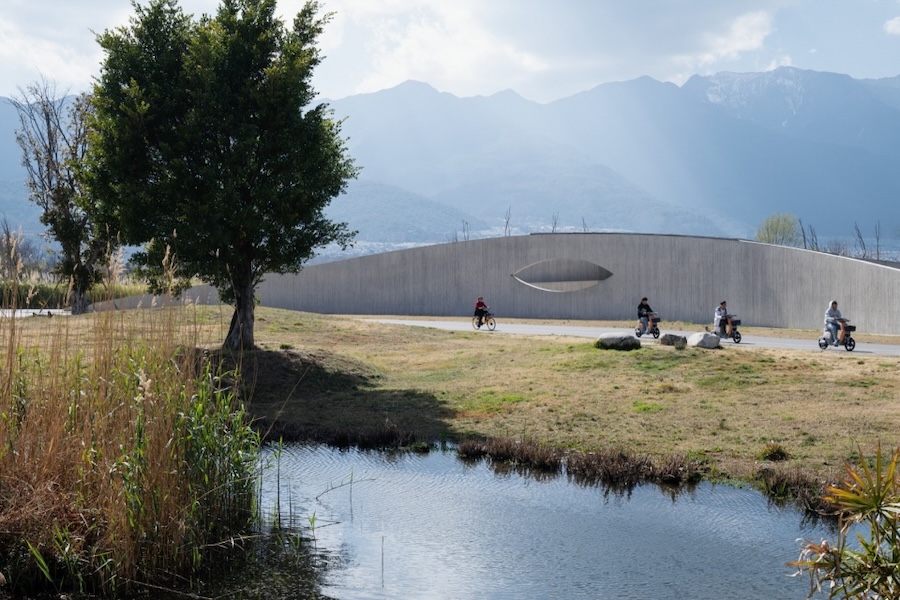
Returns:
(323, 373)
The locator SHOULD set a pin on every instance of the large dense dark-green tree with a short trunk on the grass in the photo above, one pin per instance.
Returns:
(208, 148)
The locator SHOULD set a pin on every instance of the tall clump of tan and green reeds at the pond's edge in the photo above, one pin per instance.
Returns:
(123, 458)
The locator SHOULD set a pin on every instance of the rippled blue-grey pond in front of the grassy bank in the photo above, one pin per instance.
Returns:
(403, 525)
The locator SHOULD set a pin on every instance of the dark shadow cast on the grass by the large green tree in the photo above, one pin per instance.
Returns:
(320, 396)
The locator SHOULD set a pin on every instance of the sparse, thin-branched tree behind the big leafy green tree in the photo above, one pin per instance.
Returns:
(53, 138)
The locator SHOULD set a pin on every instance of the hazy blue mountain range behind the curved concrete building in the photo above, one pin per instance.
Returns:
(714, 156)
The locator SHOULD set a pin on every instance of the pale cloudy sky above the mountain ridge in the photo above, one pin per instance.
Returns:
(542, 49)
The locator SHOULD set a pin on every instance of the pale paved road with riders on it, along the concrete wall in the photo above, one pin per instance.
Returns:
(748, 341)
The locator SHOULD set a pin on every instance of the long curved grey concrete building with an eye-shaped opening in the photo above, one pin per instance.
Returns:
(600, 276)
